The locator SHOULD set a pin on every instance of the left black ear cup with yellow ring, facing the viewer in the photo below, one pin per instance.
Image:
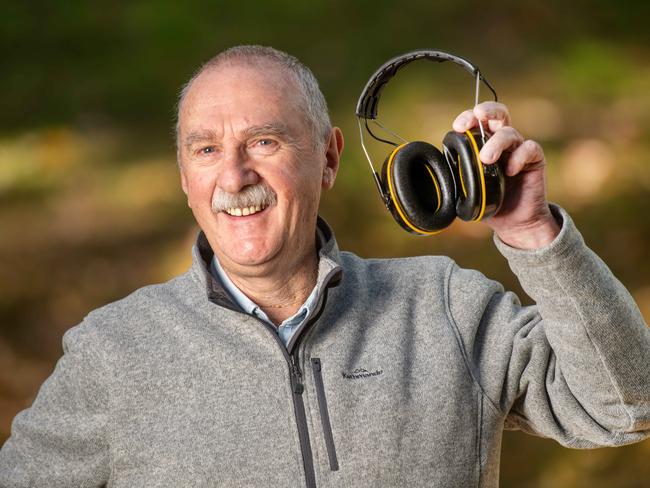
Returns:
(419, 182)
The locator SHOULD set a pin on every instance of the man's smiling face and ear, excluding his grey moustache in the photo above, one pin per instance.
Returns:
(243, 125)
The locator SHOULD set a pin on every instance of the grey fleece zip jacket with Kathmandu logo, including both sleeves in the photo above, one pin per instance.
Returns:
(405, 376)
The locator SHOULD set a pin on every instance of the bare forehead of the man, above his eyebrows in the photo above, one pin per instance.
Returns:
(240, 94)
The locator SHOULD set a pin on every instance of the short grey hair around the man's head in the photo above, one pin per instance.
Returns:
(308, 94)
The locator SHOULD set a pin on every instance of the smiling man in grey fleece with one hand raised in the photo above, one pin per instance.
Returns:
(277, 360)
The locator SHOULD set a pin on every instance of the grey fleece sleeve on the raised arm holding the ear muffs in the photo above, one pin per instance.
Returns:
(575, 366)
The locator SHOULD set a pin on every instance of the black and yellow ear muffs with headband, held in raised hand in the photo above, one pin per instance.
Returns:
(420, 193)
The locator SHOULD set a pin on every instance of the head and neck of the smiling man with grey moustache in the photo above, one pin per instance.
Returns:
(253, 163)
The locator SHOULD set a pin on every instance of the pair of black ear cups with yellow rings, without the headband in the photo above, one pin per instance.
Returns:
(427, 189)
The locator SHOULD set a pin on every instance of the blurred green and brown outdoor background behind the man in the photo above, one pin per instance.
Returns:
(91, 206)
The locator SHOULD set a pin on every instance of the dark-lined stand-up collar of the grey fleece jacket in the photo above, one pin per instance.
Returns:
(329, 267)
